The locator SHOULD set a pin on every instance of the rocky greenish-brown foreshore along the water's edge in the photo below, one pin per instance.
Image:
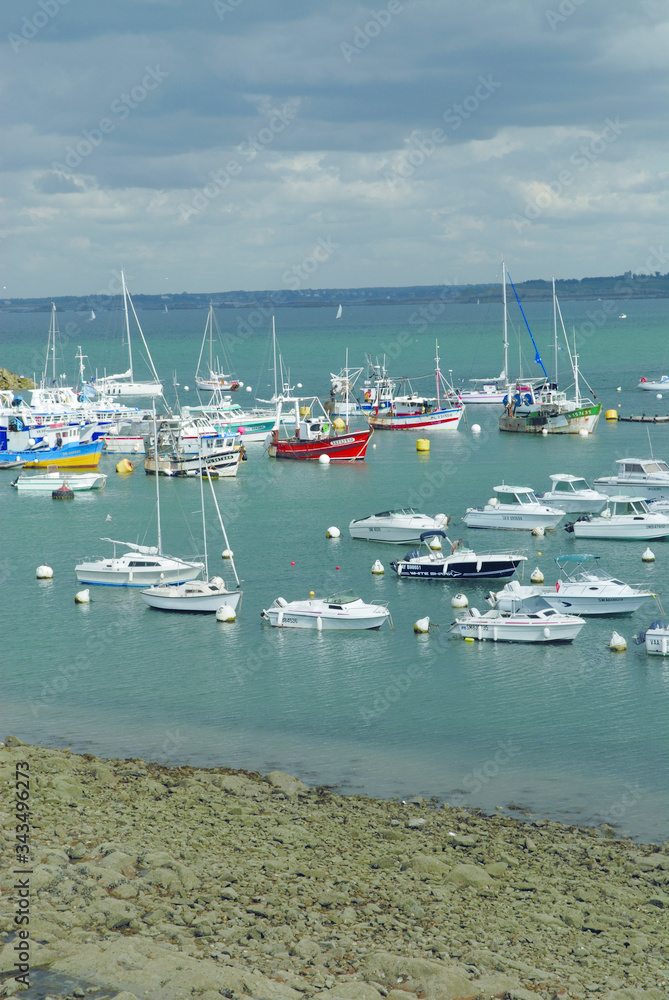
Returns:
(179, 883)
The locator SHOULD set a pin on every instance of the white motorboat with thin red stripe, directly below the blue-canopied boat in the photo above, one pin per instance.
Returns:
(543, 625)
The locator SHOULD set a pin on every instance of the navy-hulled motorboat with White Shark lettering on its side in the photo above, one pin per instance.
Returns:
(461, 563)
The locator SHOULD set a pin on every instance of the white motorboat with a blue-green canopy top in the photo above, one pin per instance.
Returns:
(580, 591)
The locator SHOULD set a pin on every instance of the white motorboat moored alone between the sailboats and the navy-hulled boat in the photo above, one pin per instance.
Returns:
(344, 610)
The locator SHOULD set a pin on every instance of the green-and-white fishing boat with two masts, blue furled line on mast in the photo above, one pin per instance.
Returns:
(542, 408)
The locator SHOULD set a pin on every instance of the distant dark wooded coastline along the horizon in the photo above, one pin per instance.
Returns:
(623, 286)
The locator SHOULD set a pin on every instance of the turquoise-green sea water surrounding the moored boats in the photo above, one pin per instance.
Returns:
(576, 732)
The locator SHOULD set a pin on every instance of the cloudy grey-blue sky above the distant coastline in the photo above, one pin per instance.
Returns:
(215, 145)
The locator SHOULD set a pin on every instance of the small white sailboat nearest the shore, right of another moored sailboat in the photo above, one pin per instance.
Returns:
(206, 595)
